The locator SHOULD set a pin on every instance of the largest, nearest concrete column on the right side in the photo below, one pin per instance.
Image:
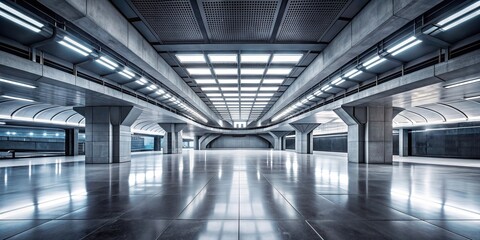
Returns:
(369, 133)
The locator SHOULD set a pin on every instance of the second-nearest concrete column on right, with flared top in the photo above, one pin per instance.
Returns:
(304, 136)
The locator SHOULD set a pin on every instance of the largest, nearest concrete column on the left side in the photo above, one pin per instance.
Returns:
(107, 133)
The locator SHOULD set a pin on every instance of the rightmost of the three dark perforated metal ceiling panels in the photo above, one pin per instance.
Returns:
(308, 20)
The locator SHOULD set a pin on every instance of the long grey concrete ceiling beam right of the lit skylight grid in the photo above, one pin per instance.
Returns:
(379, 18)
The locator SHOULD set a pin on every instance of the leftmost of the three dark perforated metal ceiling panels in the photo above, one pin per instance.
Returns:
(172, 20)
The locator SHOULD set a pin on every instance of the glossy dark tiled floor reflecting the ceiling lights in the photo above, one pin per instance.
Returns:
(249, 194)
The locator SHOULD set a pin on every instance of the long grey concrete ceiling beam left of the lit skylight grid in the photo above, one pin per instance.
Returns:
(103, 21)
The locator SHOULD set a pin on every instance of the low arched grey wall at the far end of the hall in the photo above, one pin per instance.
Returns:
(240, 141)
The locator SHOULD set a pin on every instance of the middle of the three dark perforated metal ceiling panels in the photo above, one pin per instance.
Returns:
(240, 20)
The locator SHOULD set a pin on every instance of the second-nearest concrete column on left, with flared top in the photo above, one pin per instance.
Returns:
(172, 140)
